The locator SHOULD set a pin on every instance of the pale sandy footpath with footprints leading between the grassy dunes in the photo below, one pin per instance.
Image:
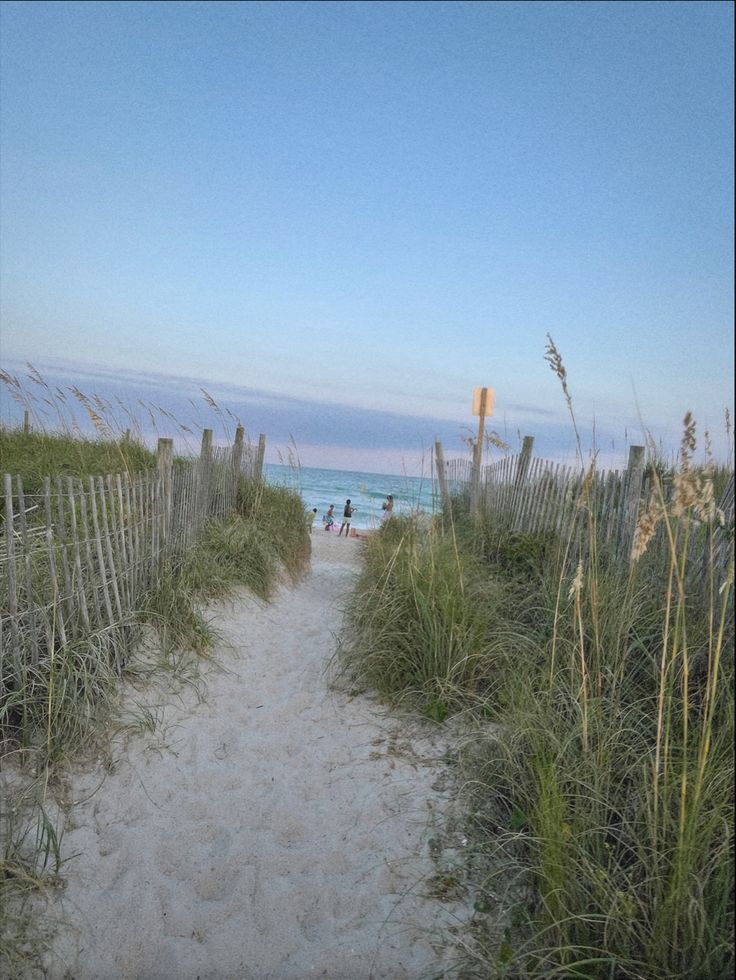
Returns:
(278, 830)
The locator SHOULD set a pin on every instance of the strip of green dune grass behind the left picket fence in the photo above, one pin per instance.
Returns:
(36, 455)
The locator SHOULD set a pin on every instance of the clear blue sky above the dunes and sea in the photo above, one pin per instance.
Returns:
(375, 207)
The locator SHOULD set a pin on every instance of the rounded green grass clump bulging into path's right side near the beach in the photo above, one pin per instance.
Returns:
(420, 618)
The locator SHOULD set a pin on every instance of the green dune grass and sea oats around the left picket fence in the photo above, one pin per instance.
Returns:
(65, 700)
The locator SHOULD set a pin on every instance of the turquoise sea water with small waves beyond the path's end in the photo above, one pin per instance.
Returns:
(319, 488)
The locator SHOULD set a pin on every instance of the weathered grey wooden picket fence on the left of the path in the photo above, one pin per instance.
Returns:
(77, 558)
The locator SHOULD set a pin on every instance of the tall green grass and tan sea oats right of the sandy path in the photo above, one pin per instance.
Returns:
(597, 773)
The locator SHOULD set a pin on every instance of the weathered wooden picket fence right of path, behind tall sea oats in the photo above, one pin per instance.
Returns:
(526, 494)
